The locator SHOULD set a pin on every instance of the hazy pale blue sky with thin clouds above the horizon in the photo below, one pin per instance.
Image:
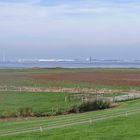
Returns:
(70, 29)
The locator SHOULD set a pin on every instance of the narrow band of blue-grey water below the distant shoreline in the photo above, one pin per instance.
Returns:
(78, 64)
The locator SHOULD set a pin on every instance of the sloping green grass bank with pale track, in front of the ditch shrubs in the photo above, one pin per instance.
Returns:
(123, 127)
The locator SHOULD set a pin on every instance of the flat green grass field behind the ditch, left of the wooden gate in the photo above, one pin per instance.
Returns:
(41, 103)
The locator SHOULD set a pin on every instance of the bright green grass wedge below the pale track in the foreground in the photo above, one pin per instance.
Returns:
(115, 129)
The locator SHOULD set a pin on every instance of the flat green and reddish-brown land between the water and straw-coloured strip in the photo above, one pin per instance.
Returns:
(71, 78)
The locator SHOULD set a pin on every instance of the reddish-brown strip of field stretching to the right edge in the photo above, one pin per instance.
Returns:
(98, 78)
